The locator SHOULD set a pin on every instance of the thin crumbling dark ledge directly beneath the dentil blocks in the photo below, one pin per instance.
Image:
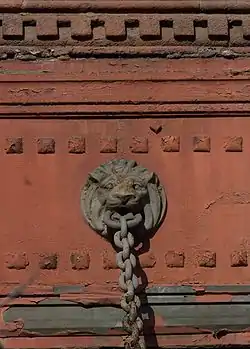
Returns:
(28, 54)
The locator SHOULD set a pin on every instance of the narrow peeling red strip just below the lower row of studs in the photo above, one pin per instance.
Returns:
(94, 290)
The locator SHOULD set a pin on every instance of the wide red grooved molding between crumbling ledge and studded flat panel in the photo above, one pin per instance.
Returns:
(107, 88)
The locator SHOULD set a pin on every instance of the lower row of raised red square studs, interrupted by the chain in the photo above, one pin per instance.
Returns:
(81, 260)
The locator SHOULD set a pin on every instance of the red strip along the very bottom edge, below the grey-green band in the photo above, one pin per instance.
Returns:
(163, 341)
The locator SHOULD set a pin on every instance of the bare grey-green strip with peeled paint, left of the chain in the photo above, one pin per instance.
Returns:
(50, 318)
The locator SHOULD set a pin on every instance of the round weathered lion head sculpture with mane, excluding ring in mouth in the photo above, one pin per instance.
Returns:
(122, 186)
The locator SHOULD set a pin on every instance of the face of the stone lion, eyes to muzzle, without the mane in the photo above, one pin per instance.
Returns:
(119, 192)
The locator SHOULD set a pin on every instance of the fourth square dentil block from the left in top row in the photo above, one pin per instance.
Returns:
(115, 28)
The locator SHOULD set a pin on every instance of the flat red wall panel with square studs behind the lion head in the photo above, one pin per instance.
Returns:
(202, 164)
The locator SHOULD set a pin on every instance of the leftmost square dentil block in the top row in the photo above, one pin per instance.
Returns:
(12, 27)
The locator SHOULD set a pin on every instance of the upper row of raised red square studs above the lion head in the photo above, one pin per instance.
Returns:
(137, 145)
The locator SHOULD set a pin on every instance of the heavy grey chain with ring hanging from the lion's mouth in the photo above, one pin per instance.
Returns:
(126, 261)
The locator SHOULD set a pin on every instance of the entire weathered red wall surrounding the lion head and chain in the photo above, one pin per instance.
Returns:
(187, 120)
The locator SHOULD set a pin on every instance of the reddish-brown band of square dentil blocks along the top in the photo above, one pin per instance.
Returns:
(123, 30)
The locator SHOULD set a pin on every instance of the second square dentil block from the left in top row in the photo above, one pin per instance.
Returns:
(46, 28)
